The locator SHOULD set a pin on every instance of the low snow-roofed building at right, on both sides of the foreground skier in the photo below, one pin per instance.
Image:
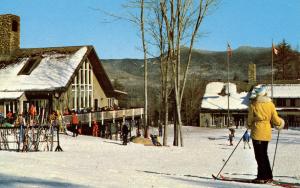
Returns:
(214, 107)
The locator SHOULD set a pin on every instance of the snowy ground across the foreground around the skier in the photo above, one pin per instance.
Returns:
(96, 162)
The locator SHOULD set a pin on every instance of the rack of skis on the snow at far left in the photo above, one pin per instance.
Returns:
(30, 138)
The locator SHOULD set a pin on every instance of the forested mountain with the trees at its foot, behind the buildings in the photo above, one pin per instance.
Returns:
(205, 65)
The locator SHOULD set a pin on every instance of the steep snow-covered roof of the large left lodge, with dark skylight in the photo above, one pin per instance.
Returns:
(53, 71)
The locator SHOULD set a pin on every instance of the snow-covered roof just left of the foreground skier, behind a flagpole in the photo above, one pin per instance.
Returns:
(214, 99)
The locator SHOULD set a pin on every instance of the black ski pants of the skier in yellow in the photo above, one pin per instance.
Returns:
(264, 171)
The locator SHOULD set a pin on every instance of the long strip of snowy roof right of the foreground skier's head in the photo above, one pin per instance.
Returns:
(282, 90)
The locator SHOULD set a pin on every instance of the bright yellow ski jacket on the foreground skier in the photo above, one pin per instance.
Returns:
(261, 114)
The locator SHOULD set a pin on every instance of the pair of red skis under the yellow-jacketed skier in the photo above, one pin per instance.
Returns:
(244, 180)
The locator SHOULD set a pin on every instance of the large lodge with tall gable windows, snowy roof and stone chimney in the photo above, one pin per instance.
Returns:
(56, 78)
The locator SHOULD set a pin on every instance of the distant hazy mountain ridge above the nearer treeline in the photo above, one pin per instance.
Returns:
(209, 65)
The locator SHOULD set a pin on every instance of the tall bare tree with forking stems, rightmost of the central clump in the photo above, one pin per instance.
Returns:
(178, 18)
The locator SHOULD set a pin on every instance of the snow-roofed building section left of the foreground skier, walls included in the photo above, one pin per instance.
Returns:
(217, 104)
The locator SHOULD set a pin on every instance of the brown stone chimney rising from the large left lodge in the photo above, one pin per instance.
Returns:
(9, 34)
